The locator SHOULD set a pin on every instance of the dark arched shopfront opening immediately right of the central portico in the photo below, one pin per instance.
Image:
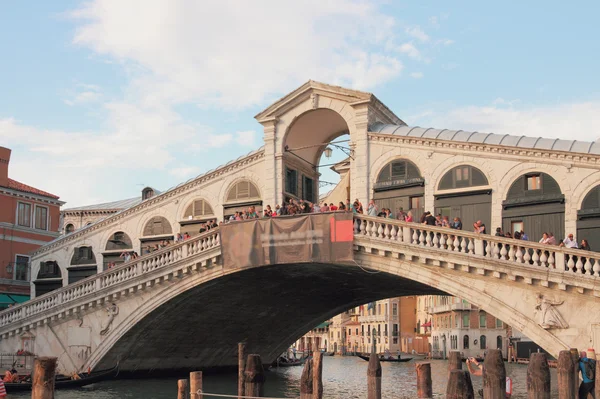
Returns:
(400, 187)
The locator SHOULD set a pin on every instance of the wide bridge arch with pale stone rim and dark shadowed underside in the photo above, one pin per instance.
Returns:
(394, 277)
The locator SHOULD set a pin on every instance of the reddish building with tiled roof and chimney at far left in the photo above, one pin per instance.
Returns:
(29, 218)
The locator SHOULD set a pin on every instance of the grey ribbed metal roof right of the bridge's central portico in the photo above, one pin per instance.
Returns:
(586, 147)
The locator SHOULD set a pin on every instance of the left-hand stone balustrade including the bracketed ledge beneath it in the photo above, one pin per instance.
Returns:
(108, 282)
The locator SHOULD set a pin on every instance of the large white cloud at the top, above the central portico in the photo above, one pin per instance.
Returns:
(235, 54)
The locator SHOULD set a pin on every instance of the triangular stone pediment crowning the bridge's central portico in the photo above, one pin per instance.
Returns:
(312, 88)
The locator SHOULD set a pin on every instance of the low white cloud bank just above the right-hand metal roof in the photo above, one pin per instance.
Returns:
(577, 121)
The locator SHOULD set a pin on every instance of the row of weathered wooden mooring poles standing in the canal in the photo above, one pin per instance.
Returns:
(251, 377)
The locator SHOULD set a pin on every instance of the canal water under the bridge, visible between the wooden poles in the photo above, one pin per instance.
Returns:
(343, 377)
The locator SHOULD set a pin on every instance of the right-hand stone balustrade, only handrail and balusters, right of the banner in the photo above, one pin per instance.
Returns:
(552, 257)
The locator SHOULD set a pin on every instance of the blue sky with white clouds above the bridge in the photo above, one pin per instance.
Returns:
(99, 99)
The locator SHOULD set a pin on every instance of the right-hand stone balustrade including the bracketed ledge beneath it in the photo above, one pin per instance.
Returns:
(565, 266)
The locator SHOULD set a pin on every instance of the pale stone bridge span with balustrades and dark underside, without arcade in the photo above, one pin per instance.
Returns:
(178, 308)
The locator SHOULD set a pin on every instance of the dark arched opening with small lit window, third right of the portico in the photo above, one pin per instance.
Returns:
(534, 204)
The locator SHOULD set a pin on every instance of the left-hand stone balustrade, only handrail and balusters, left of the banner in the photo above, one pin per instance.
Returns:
(109, 278)
